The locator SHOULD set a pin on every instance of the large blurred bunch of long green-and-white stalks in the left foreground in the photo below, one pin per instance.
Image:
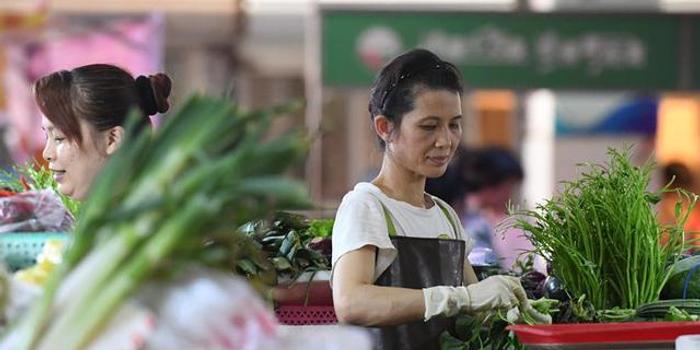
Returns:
(163, 201)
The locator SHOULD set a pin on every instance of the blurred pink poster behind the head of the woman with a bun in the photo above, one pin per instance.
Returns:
(136, 44)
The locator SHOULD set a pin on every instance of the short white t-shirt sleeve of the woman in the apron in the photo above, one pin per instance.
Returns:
(360, 222)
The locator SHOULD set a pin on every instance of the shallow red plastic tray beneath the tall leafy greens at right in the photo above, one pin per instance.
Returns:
(628, 335)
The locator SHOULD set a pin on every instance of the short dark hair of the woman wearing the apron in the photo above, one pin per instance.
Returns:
(395, 88)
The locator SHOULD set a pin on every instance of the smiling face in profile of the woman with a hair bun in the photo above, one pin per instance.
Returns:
(74, 166)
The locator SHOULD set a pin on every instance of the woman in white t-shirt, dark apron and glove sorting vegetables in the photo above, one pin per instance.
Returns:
(398, 252)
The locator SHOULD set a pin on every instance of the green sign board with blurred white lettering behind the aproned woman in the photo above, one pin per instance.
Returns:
(516, 50)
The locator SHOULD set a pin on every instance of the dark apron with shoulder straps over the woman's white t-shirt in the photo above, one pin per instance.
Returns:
(420, 263)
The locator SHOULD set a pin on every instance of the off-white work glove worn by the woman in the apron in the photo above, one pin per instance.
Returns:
(495, 292)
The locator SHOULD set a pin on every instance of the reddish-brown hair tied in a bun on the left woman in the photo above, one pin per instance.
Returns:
(100, 94)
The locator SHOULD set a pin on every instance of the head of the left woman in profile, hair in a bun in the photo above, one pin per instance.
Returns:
(84, 113)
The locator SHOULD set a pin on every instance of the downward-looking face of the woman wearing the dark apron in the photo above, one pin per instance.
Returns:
(429, 134)
